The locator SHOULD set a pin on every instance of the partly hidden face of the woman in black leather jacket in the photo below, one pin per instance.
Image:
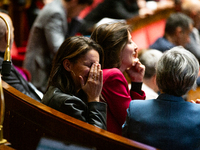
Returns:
(82, 67)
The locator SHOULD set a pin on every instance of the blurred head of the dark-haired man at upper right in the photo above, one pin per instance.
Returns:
(178, 28)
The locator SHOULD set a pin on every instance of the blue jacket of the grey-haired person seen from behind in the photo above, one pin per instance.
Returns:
(167, 123)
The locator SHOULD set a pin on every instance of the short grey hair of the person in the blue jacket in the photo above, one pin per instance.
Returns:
(177, 71)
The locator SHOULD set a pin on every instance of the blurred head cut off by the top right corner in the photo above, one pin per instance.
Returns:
(192, 9)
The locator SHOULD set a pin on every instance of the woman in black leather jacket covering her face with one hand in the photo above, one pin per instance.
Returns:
(76, 81)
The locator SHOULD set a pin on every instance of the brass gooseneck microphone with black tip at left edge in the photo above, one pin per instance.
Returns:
(6, 65)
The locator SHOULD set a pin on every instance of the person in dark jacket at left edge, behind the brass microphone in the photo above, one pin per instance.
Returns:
(15, 79)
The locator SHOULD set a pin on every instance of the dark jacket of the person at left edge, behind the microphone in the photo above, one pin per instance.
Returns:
(16, 80)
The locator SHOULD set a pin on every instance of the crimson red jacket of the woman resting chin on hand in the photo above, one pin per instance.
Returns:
(117, 96)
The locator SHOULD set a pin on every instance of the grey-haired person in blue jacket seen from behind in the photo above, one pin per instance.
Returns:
(168, 122)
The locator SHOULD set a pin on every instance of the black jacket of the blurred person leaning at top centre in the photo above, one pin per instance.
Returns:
(115, 9)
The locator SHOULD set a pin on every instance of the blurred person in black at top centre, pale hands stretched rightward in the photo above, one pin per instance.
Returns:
(120, 9)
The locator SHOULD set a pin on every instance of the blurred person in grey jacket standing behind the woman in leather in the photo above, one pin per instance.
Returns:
(55, 22)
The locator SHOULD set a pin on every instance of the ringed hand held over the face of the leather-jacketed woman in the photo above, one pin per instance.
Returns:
(94, 83)
